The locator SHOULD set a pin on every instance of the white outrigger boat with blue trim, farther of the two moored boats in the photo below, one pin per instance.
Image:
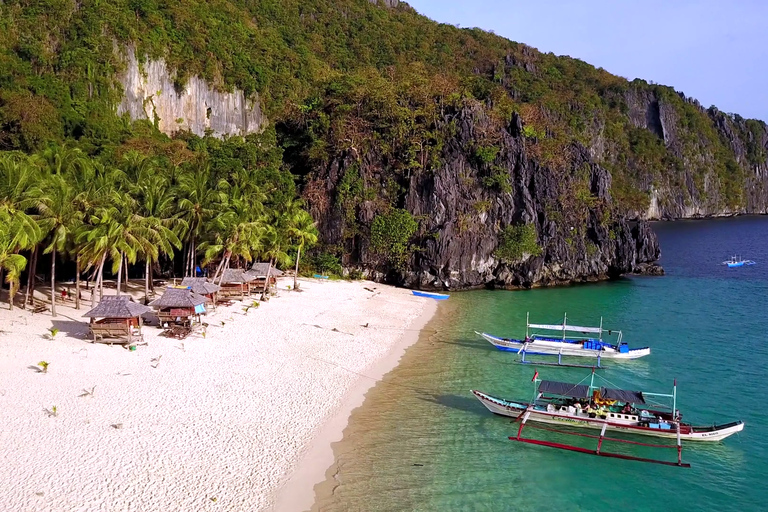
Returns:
(567, 344)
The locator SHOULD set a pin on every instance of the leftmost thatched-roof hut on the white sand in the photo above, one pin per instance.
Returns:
(117, 317)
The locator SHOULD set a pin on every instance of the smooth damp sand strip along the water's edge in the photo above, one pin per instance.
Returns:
(298, 492)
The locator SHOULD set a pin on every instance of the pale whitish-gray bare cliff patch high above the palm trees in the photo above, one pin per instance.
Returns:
(149, 93)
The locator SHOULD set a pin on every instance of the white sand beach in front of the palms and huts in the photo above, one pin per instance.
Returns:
(214, 423)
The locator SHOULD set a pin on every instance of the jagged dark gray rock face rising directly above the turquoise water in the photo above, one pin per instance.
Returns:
(461, 217)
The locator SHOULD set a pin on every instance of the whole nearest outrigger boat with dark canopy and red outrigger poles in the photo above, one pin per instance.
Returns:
(601, 408)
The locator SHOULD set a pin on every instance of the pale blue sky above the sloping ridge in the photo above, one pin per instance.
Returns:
(714, 51)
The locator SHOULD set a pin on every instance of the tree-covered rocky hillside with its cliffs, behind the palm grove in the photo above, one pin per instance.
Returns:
(367, 100)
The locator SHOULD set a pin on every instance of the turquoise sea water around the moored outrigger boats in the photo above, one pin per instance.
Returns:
(422, 442)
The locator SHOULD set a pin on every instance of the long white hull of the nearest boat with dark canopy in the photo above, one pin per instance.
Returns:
(582, 420)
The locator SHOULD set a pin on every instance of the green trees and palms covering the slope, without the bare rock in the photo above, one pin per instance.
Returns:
(335, 78)
